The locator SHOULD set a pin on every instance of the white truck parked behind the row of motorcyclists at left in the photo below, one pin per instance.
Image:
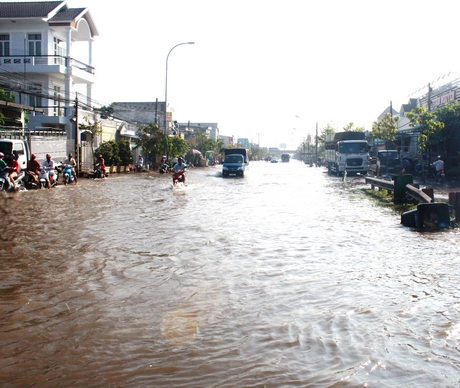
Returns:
(25, 142)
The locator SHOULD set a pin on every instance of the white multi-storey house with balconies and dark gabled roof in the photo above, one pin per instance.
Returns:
(46, 58)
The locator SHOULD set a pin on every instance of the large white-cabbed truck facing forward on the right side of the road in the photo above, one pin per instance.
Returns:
(347, 152)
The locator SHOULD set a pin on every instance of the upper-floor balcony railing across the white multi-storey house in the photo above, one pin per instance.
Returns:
(47, 60)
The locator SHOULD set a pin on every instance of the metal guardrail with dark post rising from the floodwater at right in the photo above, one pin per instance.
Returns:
(401, 189)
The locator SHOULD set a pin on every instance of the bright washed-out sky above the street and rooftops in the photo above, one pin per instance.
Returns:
(270, 70)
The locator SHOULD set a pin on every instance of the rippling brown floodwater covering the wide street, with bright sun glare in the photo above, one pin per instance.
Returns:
(287, 277)
